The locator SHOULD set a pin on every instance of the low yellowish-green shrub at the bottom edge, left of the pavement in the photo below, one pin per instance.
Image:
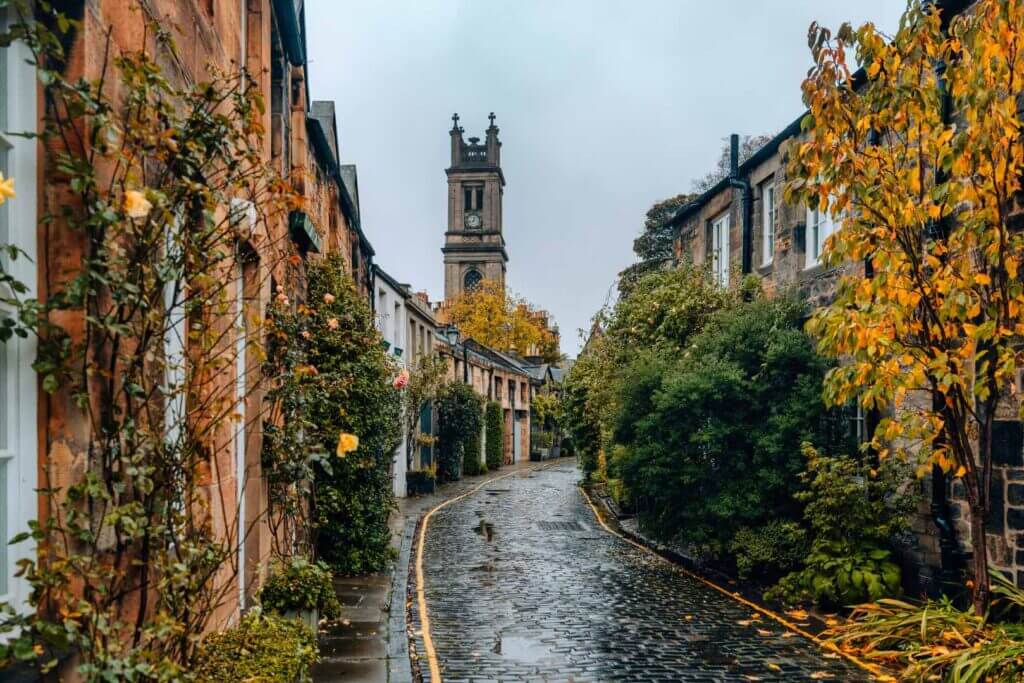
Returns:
(262, 648)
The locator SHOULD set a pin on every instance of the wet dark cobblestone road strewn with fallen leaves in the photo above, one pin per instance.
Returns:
(524, 585)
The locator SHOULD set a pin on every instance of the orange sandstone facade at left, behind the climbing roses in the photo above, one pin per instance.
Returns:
(301, 142)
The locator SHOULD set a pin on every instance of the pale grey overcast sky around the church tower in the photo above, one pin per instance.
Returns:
(605, 108)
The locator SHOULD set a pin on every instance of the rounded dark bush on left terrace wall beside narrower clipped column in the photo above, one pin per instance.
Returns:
(460, 419)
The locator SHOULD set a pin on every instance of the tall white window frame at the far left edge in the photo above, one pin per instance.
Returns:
(20, 391)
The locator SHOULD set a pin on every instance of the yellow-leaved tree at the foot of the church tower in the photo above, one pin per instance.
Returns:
(496, 318)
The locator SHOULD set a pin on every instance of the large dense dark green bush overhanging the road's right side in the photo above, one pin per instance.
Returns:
(714, 438)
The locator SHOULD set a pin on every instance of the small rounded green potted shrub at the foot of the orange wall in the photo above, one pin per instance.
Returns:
(298, 584)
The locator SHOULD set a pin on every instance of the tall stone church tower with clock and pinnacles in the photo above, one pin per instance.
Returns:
(475, 246)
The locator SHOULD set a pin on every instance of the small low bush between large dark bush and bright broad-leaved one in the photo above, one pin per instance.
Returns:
(769, 552)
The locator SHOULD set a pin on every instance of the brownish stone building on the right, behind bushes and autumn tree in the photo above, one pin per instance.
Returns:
(743, 227)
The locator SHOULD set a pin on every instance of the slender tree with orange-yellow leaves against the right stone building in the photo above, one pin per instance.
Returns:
(921, 156)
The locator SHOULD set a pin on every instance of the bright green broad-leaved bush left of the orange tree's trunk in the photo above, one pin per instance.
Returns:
(854, 513)
